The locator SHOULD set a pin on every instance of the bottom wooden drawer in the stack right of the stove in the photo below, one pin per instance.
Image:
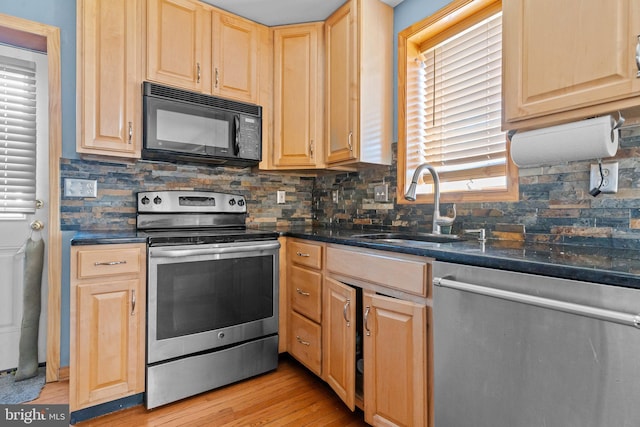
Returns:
(305, 340)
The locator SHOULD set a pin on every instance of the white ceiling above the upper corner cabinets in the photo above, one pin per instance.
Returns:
(280, 12)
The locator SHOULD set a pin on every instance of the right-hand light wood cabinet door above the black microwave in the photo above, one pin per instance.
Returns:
(235, 57)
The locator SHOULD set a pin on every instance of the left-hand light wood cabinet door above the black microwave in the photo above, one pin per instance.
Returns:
(178, 49)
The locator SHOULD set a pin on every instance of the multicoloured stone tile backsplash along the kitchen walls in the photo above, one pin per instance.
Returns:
(554, 206)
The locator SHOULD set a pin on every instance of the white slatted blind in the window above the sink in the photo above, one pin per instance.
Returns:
(459, 110)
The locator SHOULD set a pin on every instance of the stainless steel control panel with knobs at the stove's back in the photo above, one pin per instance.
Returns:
(190, 202)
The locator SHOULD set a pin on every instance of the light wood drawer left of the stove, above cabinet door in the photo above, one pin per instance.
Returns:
(109, 260)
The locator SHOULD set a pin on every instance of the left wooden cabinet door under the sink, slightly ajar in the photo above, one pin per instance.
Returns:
(339, 339)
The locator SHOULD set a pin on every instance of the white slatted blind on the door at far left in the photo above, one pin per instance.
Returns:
(17, 135)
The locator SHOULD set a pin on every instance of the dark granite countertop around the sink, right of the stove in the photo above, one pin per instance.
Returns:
(591, 264)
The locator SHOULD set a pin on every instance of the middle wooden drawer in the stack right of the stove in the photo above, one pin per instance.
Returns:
(305, 292)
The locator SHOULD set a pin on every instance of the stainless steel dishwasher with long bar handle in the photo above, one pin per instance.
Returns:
(522, 350)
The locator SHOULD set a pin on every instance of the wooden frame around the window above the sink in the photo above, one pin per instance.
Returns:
(446, 22)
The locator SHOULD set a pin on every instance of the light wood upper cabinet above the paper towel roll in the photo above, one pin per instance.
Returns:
(568, 60)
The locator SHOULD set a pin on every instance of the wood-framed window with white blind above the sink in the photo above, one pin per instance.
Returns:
(450, 90)
